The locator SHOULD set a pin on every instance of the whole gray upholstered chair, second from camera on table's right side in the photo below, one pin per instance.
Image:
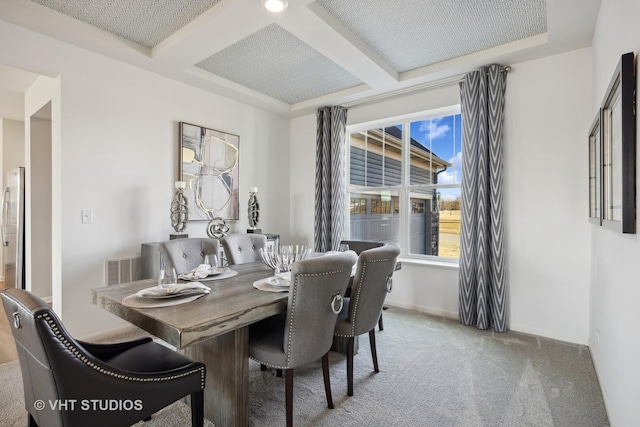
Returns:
(361, 311)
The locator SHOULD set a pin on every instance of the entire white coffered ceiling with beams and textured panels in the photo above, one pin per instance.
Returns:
(315, 52)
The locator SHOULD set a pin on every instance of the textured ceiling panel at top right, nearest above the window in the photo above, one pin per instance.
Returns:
(409, 34)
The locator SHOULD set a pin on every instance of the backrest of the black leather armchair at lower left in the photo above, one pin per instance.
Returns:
(36, 343)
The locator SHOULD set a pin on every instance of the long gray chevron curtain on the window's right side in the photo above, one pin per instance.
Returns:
(481, 280)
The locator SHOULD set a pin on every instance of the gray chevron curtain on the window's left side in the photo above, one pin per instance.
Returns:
(330, 178)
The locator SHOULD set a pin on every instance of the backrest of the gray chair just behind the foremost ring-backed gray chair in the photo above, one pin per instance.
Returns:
(375, 268)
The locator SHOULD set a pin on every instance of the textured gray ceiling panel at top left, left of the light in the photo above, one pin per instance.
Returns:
(146, 22)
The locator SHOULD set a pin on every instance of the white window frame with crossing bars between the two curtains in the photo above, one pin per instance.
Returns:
(405, 190)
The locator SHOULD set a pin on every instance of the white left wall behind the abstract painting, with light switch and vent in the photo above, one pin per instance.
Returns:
(119, 157)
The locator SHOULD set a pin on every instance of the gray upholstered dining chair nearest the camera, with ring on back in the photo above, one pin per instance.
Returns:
(305, 332)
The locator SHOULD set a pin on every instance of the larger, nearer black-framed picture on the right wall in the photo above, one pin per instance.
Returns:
(619, 149)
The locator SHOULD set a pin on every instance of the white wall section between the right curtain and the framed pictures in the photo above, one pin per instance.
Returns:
(547, 118)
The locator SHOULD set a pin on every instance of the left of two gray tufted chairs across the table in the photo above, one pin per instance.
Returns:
(186, 254)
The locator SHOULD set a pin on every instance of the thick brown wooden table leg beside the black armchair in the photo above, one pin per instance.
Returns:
(226, 394)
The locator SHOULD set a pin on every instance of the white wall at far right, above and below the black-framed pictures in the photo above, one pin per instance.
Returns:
(615, 269)
